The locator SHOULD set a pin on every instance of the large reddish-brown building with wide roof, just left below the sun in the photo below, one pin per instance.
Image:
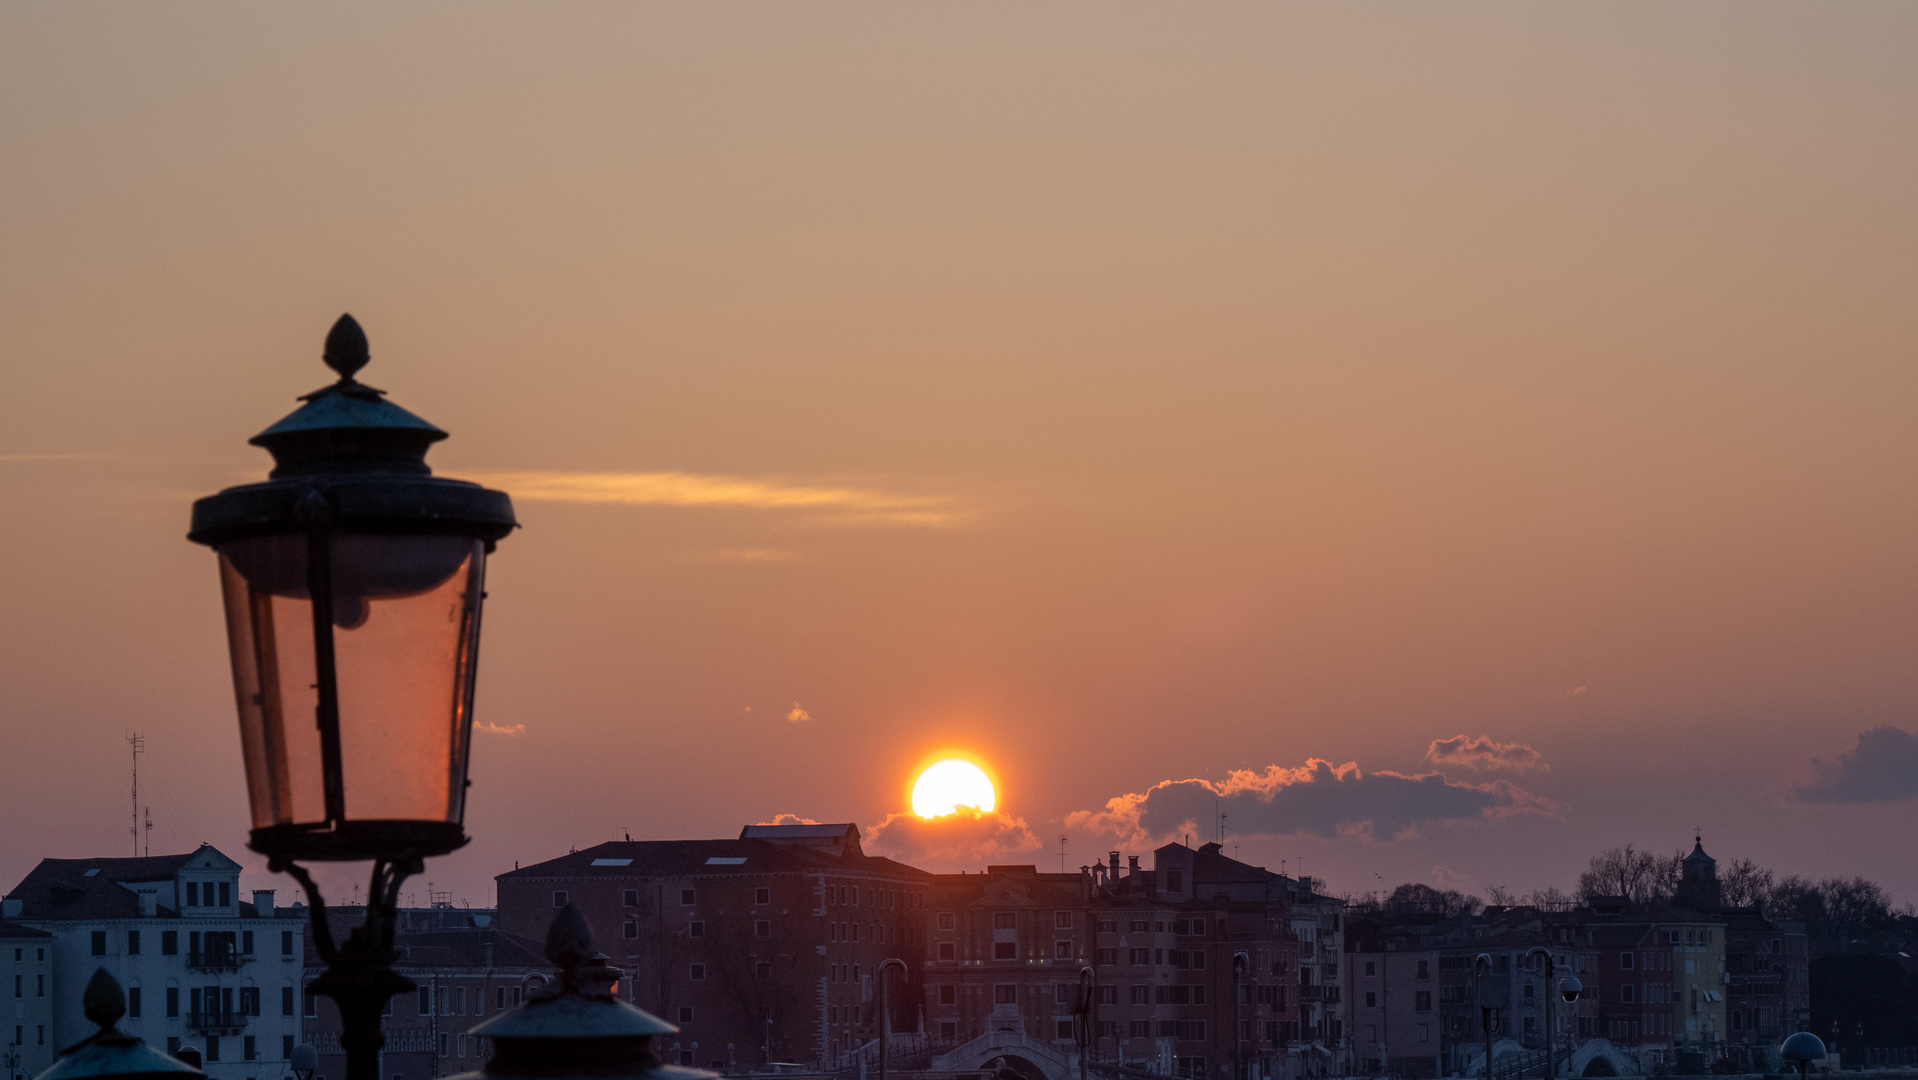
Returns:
(759, 949)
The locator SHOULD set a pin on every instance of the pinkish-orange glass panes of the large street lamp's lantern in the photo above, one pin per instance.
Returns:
(406, 640)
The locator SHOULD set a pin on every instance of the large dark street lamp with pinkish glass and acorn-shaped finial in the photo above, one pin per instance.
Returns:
(354, 580)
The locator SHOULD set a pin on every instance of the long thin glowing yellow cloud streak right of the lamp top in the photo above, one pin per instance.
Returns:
(830, 504)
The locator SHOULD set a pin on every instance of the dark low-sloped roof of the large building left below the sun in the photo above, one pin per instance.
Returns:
(691, 858)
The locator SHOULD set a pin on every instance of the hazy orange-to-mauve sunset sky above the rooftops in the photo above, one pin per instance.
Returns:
(1441, 440)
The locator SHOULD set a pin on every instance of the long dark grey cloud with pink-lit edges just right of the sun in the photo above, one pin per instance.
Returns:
(1319, 797)
